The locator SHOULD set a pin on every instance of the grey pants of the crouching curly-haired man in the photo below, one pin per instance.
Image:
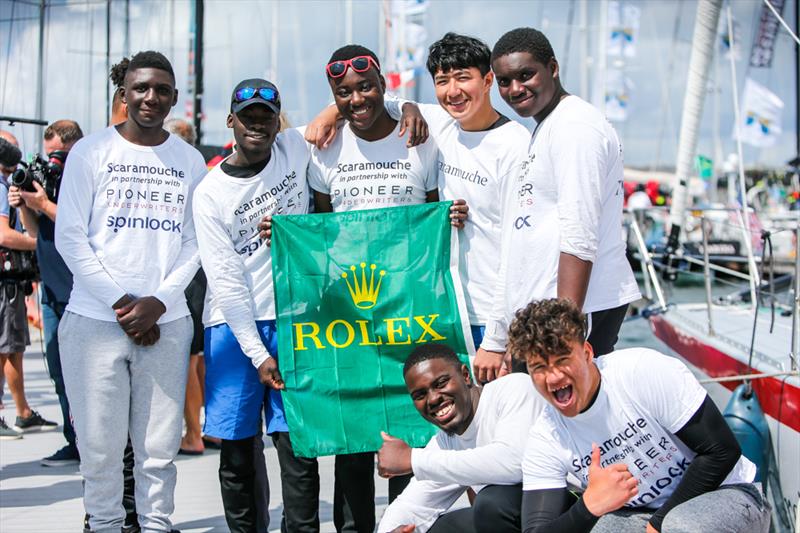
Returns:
(737, 508)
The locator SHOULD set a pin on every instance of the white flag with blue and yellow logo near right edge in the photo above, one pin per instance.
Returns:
(760, 119)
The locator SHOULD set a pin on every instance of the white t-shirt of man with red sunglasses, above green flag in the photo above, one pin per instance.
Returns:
(359, 174)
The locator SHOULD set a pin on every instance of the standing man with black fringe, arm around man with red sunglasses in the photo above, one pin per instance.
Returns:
(480, 150)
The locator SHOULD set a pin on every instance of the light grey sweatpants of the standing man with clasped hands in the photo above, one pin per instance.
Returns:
(117, 388)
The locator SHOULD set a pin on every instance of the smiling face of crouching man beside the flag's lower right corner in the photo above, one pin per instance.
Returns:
(442, 393)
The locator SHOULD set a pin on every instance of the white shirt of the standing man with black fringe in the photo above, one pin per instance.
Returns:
(474, 165)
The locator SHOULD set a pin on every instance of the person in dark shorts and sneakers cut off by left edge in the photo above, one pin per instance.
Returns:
(15, 273)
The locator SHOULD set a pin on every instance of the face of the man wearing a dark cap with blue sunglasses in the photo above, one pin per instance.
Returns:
(254, 129)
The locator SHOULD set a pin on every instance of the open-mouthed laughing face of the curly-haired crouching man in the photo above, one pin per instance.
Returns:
(568, 382)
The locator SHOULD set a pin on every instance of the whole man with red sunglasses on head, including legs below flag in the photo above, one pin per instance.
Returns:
(367, 166)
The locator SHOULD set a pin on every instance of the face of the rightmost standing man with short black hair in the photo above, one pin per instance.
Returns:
(530, 87)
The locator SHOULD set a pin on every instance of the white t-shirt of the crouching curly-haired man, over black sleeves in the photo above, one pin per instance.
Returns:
(645, 397)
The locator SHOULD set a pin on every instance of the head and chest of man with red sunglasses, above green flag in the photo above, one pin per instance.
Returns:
(368, 165)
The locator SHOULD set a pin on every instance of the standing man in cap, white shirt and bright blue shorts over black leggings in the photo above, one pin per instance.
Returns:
(266, 175)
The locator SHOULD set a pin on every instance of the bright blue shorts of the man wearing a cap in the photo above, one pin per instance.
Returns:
(235, 397)
